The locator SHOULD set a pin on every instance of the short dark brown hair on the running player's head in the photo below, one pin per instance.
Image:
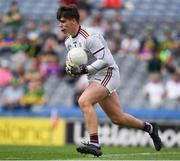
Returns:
(68, 12)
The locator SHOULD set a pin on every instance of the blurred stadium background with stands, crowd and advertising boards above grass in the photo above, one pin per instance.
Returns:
(38, 101)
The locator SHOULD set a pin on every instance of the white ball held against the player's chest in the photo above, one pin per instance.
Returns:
(77, 56)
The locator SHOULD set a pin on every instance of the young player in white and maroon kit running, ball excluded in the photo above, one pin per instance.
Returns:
(104, 79)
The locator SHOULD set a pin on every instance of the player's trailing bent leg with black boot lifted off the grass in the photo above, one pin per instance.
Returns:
(111, 105)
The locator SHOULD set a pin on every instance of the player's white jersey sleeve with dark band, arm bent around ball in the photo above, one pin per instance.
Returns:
(97, 48)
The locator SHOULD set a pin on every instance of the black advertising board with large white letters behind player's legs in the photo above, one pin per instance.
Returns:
(114, 135)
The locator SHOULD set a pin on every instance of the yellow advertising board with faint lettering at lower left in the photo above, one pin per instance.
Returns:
(32, 131)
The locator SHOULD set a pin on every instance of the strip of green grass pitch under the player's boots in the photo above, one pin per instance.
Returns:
(68, 152)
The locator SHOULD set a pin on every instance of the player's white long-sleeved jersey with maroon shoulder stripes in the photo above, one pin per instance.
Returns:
(99, 55)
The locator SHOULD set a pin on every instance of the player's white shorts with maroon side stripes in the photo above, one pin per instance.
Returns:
(110, 79)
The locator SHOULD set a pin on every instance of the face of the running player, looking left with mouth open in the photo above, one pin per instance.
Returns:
(67, 25)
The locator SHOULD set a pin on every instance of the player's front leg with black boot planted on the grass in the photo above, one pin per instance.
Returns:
(93, 94)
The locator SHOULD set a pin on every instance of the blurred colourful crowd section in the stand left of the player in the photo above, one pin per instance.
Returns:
(30, 54)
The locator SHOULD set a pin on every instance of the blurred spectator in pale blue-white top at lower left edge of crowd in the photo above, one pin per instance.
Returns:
(10, 98)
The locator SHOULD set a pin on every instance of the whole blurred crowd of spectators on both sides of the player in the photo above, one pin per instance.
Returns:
(33, 51)
